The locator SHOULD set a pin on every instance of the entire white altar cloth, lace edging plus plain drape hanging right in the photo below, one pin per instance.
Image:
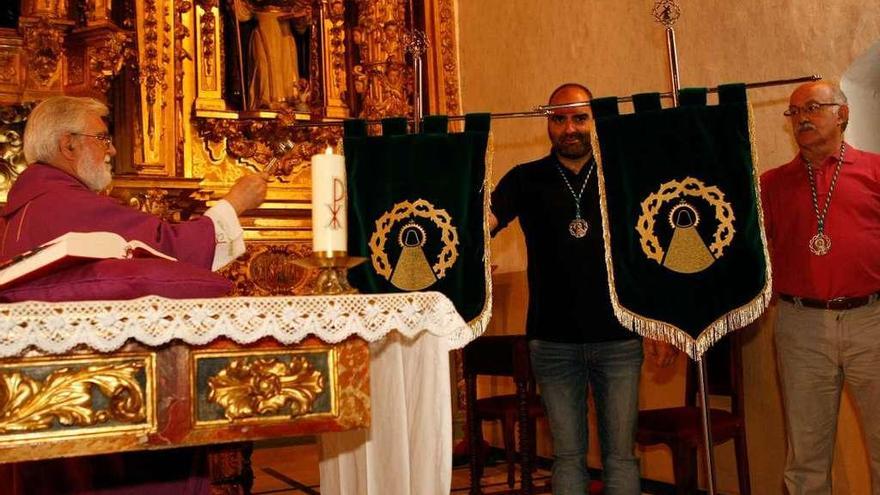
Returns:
(408, 448)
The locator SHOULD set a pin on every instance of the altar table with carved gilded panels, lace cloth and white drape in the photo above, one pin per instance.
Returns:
(369, 373)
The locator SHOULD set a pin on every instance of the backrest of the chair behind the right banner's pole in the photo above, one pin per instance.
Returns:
(723, 371)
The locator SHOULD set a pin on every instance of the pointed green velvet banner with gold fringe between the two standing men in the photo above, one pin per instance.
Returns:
(687, 261)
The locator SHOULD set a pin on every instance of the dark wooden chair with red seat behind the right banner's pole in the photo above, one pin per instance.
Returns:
(680, 428)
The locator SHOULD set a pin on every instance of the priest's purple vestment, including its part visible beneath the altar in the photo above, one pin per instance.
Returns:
(45, 203)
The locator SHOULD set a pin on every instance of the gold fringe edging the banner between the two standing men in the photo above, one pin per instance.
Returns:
(659, 330)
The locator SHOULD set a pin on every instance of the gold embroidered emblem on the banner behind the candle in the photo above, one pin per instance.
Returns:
(414, 224)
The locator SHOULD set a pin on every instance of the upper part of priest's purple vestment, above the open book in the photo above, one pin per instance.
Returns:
(45, 203)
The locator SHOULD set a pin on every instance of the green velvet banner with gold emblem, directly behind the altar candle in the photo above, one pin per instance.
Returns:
(417, 205)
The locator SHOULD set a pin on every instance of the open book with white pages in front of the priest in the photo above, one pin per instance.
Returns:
(71, 248)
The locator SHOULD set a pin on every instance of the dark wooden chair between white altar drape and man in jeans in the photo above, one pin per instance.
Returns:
(506, 355)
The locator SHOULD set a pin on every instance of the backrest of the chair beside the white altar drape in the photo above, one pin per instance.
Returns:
(498, 355)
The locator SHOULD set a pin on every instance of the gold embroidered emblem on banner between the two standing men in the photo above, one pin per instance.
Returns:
(686, 251)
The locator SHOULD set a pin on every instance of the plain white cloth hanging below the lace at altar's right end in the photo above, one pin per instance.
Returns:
(408, 448)
